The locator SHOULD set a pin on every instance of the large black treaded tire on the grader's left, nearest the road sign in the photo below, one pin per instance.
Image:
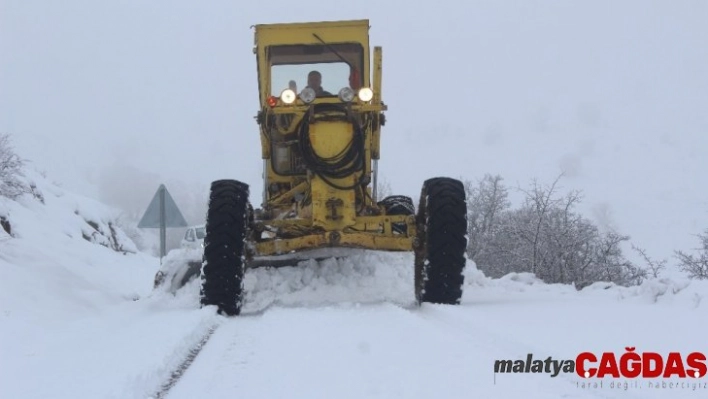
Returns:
(223, 265)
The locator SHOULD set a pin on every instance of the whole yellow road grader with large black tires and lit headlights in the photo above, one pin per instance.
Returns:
(320, 119)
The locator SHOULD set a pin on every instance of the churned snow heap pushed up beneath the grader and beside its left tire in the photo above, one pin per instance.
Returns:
(362, 277)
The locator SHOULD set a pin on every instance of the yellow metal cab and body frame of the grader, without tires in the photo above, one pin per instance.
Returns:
(305, 211)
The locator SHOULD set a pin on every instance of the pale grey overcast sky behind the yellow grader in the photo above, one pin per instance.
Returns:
(112, 97)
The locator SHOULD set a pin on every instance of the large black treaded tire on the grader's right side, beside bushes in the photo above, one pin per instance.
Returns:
(441, 242)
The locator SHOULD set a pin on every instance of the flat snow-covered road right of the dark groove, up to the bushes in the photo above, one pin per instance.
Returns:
(388, 351)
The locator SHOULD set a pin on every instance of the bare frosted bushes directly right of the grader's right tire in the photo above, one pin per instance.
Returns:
(545, 236)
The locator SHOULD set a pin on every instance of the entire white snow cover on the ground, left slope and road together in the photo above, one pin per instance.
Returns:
(80, 320)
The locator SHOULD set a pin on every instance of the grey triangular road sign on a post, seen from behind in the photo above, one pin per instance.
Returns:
(162, 213)
